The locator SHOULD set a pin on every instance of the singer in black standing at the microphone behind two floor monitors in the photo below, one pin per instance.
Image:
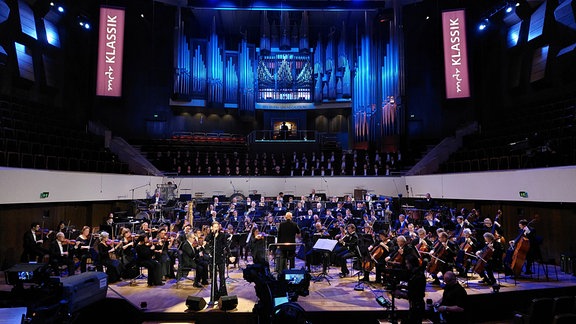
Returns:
(216, 246)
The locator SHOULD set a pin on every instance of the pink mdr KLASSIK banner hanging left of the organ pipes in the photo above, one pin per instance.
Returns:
(110, 48)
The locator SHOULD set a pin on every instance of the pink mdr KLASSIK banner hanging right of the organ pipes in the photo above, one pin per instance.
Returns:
(455, 54)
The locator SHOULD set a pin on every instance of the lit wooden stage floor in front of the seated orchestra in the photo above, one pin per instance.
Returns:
(336, 301)
